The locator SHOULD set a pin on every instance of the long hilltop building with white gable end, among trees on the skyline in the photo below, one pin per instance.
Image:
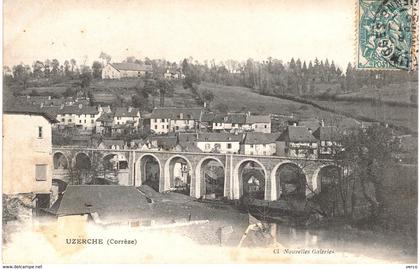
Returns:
(125, 70)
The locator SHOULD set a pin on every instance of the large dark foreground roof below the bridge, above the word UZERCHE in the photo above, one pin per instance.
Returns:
(111, 202)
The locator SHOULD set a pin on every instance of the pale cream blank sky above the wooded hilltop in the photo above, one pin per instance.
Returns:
(173, 30)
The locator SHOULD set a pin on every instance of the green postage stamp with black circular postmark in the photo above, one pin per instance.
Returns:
(387, 37)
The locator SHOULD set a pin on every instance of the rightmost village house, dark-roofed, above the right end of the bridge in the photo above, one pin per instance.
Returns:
(329, 141)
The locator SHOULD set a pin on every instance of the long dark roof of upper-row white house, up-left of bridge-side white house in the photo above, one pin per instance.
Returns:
(176, 113)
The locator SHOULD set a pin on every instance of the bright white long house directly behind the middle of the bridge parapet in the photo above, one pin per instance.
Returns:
(219, 142)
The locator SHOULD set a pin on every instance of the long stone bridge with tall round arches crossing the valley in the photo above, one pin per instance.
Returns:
(232, 165)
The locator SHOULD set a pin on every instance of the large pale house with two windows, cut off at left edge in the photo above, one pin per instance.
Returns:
(27, 142)
